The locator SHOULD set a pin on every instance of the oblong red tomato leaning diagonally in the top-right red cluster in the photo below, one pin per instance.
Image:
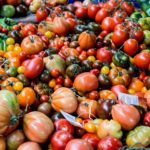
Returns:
(101, 14)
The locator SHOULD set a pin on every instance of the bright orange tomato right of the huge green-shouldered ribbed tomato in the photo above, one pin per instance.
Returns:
(27, 97)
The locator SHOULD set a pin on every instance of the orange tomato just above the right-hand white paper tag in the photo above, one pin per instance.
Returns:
(136, 85)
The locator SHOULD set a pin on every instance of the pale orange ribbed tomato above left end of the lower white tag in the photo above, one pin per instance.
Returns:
(64, 99)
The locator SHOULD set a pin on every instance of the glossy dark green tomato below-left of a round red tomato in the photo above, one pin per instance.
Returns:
(120, 59)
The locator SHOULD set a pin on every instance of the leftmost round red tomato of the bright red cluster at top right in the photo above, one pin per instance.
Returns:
(81, 12)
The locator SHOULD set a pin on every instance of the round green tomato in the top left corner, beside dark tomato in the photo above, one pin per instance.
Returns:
(7, 11)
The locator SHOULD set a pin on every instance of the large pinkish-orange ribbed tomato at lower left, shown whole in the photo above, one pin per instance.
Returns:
(37, 126)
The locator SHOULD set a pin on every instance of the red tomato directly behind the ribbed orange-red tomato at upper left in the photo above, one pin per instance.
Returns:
(29, 29)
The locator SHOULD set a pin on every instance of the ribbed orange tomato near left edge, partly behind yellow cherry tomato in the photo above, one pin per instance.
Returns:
(8, 83)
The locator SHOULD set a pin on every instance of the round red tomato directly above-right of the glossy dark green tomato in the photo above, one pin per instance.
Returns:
(131, 46)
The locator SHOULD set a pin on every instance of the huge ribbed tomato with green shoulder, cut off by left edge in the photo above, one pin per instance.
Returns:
(9, 111)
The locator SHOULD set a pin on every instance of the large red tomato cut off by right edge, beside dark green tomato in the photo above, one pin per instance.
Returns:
(142, 60)
